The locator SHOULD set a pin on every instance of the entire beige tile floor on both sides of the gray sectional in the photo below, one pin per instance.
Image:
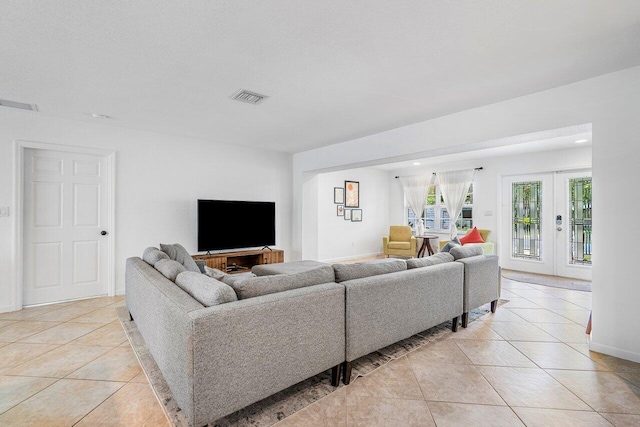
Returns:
(528, 364)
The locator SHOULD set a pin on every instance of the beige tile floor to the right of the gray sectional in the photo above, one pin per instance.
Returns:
(528, 364)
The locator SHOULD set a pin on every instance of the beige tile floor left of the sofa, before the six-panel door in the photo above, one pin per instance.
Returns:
(71, 364)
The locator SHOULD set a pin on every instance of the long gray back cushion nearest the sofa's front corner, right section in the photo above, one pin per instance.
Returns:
(264, 285)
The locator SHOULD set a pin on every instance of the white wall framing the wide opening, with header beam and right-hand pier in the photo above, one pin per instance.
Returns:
(611, 104)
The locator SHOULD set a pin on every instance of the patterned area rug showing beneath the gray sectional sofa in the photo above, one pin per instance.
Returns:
(293, 399)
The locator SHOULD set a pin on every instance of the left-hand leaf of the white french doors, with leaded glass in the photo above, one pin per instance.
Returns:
(527, 207)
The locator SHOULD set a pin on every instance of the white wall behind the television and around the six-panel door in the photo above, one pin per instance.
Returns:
(158, 180)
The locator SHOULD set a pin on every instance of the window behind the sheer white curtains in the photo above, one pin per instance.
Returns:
(436, 216)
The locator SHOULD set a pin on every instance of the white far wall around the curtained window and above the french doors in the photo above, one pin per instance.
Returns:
(487, 185)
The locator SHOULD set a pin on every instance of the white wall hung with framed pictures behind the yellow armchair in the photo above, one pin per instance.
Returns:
(339, 239)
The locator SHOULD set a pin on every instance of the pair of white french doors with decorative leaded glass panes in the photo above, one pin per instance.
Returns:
(546, 224)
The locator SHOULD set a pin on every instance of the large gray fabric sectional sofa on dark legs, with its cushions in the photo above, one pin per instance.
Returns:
(225, 343)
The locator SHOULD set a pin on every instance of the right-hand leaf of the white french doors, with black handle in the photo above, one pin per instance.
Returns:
(573, 224)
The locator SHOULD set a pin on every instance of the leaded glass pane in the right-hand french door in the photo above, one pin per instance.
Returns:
(580, 220)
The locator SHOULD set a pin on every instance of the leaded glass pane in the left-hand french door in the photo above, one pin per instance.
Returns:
(526, 239)
